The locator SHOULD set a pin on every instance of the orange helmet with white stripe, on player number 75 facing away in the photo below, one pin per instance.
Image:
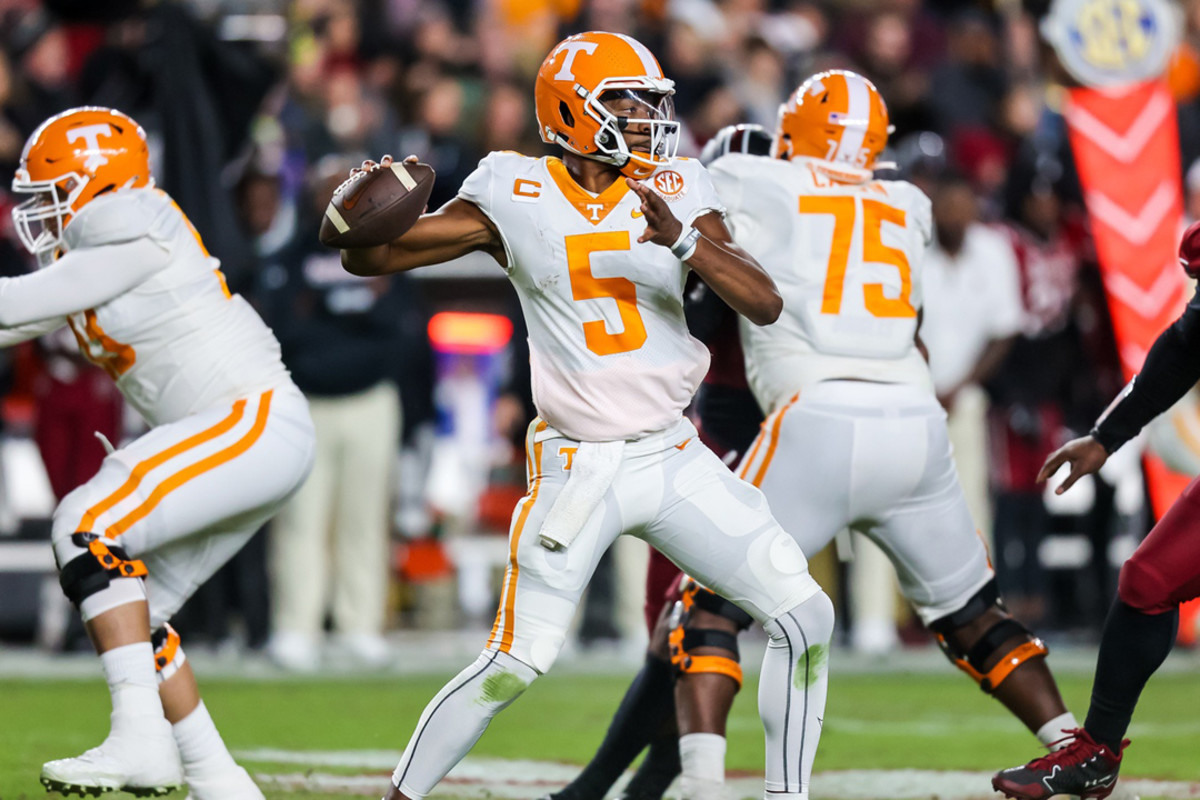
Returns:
(837, 118)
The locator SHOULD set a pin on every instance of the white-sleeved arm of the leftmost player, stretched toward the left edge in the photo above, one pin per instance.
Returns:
(77, 281)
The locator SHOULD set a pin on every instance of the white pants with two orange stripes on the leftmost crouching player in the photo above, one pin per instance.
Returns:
(185, 497)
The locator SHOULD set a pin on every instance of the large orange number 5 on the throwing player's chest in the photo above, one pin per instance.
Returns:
(586, 286)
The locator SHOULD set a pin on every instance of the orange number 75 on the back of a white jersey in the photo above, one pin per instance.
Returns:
(845, 210)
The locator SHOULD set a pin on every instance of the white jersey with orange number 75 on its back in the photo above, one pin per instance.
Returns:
(847, 260)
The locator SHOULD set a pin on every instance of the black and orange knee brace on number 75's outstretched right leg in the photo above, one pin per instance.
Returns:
(974, 661)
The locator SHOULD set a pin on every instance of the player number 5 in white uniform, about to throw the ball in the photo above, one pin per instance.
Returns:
(598, 245)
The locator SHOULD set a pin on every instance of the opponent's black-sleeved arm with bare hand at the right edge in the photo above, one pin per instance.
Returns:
(1172, 369)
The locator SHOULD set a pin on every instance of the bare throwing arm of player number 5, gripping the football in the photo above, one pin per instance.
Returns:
(455, 230)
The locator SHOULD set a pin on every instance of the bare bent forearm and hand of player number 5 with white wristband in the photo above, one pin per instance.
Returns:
(729, 270)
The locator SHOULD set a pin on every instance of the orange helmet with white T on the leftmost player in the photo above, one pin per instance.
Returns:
(71, 159)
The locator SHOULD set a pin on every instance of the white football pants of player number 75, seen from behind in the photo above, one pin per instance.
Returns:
(877, 459)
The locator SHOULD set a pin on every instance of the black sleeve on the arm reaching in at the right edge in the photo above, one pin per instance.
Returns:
(1172, 369)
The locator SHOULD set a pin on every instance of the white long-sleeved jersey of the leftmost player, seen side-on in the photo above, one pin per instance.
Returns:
(149, 305)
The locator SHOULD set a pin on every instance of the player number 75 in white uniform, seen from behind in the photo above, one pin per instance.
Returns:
(855, 437)
